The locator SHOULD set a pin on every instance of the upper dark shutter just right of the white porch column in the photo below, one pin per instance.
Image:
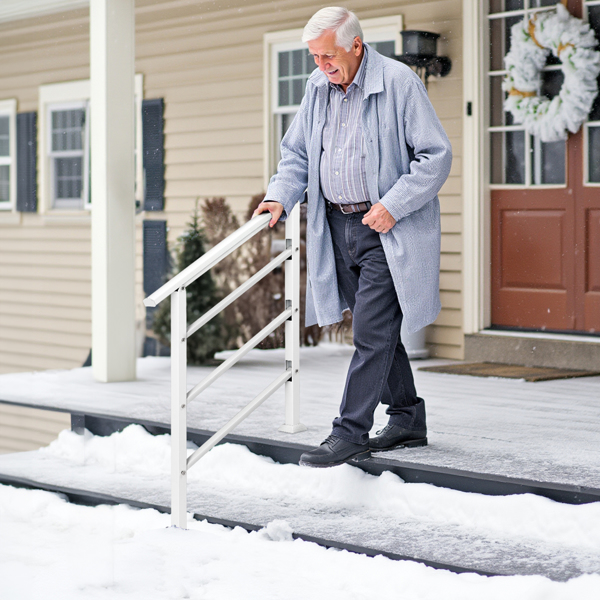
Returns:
(154, 170)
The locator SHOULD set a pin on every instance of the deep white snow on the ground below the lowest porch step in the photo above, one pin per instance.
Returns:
(52, 549)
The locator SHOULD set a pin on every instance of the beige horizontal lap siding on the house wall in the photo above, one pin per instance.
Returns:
(207, 64)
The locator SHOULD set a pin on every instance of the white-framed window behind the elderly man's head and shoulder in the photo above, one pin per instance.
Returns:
(289, 66)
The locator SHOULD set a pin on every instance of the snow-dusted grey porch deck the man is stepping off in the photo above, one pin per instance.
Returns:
(545, 432)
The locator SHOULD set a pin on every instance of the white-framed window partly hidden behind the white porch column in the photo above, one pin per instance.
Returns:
(64, 145)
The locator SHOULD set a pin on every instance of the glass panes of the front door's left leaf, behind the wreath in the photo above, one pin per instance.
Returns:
(509, 144)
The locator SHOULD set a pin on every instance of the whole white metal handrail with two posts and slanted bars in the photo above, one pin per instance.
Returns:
(180, 331)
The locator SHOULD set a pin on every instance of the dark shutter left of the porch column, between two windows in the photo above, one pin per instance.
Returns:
(27, 162)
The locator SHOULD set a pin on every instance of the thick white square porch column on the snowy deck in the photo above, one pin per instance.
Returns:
(112, 66)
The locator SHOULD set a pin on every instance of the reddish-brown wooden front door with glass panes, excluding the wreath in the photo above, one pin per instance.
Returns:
(545, 201)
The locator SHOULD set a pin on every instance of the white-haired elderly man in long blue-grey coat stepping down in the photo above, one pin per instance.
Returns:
(370, 151)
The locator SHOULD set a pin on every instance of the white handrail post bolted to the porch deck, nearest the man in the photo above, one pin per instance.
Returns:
(292, 326)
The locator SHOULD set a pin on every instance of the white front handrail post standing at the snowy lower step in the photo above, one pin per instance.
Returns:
(178, 409)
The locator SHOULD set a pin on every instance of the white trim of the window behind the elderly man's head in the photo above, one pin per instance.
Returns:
(374, 30)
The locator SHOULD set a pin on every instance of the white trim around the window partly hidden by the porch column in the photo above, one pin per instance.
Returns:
(72, 92)
